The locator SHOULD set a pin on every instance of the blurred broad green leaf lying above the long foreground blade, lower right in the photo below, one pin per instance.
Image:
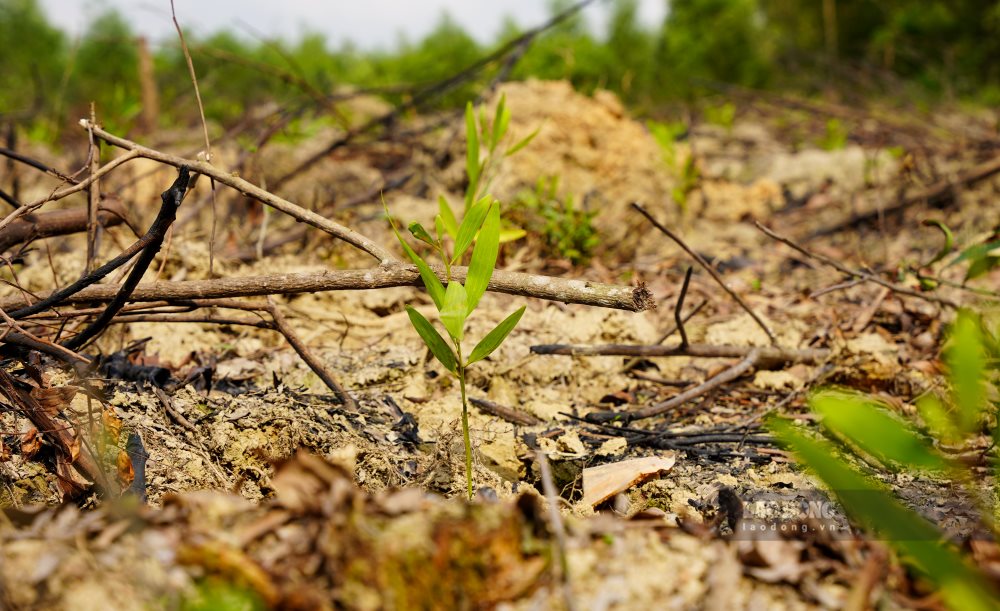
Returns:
(859, 421)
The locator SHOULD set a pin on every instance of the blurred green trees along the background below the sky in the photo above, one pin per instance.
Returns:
(930, 51)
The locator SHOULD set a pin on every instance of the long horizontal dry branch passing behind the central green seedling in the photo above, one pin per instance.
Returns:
(634, 299)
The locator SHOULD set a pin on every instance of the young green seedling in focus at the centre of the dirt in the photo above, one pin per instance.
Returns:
(456, 302)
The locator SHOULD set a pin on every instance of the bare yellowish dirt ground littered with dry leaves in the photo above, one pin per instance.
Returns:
(267, 489)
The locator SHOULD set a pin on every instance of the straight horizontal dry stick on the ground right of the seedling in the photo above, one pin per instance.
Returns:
(768, 356)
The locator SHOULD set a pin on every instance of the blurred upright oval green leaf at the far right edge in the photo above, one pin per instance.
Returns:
(966, 358)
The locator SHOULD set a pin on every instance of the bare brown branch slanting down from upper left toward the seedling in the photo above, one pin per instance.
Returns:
(250, 190)
